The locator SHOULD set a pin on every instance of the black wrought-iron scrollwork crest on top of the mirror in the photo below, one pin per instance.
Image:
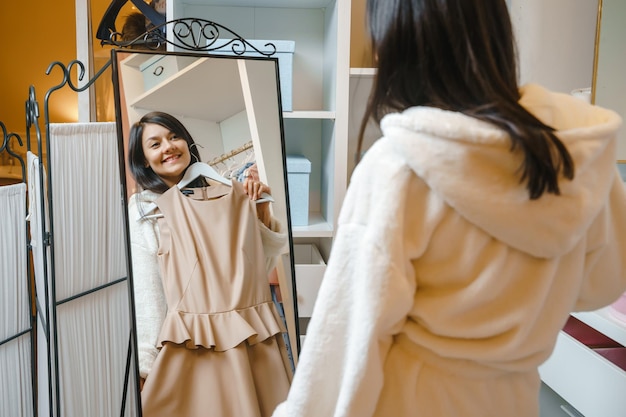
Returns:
(192, 34)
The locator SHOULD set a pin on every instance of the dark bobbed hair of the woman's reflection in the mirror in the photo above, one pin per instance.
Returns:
(144, 175)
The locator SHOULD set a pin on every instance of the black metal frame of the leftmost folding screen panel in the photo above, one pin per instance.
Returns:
(30, 330)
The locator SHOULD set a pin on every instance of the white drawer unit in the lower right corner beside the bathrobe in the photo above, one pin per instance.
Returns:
(586, 380)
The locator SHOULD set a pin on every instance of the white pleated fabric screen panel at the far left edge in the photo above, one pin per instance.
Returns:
(16, 392)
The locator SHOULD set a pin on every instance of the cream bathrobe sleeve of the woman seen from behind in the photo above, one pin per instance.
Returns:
(366, 294)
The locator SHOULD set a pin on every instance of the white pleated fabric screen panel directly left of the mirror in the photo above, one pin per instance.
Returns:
(86, 221)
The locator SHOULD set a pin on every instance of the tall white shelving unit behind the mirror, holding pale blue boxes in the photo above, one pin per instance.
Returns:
(317, 126)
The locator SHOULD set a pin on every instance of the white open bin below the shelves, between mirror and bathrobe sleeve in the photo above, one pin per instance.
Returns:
(310, 268)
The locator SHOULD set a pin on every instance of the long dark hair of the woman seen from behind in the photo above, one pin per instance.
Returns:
(460, 55)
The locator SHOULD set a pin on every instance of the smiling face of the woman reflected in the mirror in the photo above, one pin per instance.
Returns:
(166, 153)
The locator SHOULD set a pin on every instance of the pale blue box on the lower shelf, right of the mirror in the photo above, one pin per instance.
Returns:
(298, 172)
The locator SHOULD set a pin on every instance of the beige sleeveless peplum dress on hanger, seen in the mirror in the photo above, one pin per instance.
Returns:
(222, 353)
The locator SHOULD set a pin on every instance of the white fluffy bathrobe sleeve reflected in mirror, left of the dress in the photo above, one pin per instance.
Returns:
(150, 302)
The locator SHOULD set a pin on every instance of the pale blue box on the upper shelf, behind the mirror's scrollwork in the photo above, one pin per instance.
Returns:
(284, 53)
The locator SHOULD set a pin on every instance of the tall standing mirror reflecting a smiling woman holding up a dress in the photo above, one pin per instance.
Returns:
(230, 105)
